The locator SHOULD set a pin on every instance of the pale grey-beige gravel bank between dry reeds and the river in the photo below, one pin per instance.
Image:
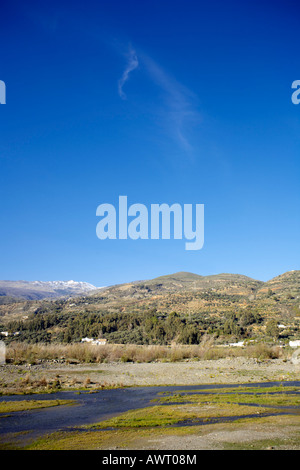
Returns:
(226, 371)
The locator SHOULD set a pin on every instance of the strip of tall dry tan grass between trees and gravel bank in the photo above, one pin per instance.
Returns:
(22, 353)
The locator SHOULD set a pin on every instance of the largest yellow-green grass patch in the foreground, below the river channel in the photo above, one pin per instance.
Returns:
(136, 428)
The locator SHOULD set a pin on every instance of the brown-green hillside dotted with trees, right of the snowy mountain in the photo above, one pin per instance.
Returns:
(180, 307)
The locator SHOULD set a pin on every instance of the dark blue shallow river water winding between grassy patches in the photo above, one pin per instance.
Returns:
(97, 406)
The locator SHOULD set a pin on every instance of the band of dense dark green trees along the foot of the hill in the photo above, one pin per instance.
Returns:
(143, 328)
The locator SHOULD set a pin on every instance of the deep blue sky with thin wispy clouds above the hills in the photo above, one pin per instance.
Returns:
(162, 101)
